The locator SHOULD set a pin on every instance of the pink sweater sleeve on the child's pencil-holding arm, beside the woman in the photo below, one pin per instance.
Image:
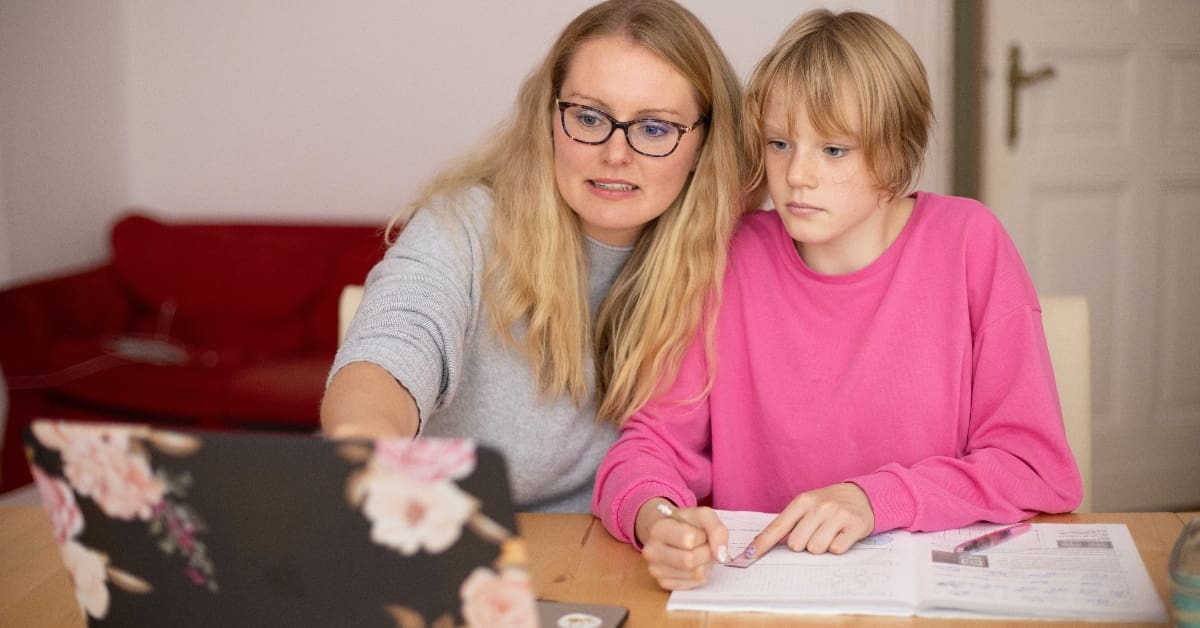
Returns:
(664, 451)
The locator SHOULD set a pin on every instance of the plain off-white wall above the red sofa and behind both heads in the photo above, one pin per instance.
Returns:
(261, 110)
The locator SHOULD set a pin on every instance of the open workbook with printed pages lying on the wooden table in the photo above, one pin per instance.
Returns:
(1057, 571)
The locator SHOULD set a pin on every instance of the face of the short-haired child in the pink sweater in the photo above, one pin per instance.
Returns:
(825, 193)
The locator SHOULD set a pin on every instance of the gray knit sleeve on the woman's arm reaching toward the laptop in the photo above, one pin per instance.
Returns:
(421, 303)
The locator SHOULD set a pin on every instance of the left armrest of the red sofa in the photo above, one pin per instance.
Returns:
(86, 304)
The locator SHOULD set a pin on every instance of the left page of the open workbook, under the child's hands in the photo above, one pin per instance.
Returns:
(877, 577)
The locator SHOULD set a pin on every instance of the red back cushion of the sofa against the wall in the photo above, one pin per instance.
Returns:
(235, 289)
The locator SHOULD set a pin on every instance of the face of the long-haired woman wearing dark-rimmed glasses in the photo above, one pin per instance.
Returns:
(614, 189)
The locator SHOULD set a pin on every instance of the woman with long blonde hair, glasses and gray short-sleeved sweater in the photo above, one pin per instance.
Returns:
(551, 279)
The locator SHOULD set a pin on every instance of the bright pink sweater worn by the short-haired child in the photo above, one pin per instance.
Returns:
(923, 379)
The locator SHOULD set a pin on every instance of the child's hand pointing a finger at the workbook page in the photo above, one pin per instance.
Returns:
(832, 519)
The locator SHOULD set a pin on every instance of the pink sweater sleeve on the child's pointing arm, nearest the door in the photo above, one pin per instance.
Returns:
(1016, 460)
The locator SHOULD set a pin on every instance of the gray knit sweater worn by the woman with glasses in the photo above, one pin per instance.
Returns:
(423, 320)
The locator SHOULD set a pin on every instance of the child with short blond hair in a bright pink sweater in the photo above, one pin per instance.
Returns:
(881, 356)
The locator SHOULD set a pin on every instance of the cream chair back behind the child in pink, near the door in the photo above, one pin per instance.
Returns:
(1069, 338)
